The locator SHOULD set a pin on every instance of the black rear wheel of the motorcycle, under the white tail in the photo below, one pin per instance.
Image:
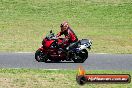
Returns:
(81, 56)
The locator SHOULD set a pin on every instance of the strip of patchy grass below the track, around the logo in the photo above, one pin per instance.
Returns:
(27, 78)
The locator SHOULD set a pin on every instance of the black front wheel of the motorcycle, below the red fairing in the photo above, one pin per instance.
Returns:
(40, 56)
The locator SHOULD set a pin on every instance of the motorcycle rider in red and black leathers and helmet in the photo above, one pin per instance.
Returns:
(70, 36)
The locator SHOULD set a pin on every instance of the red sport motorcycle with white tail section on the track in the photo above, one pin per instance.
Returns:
(55, 50)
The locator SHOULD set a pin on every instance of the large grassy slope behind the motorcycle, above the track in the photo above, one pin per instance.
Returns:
(107, 22)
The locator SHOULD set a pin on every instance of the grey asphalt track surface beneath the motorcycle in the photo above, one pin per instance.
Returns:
(94, 62)
